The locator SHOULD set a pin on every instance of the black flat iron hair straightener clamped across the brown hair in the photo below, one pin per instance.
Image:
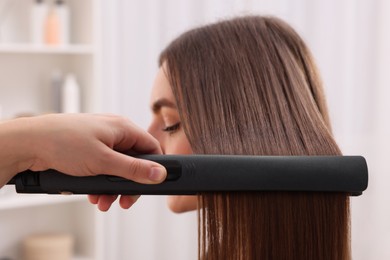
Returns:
(193, 174)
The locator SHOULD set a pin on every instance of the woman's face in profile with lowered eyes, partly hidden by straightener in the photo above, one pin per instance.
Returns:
(167, 129)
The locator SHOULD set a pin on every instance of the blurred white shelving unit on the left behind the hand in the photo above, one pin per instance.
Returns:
(27, 71)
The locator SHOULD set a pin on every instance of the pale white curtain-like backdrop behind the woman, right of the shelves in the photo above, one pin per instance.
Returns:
(349, 40)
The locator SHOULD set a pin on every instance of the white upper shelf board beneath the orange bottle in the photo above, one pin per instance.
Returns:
(75, 49)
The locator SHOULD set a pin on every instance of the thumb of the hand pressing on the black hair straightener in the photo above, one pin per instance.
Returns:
(138, 170)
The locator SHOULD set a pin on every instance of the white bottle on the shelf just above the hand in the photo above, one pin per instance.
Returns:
(70, 95)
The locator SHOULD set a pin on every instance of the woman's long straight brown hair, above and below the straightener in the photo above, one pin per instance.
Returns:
(249, 86)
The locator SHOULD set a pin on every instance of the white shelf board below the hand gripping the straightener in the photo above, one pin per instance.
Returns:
(19, 201)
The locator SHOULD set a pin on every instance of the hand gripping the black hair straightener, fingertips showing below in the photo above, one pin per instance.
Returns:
(83, 145)
